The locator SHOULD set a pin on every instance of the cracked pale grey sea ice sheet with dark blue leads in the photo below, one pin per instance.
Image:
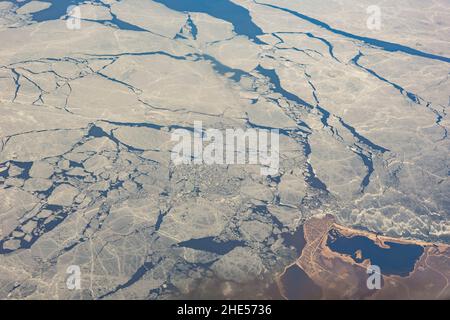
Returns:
(86, 119)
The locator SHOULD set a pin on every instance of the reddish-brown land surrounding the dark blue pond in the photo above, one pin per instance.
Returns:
(338, 276)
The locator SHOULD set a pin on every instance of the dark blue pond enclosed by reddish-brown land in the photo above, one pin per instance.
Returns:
(398, 259)
